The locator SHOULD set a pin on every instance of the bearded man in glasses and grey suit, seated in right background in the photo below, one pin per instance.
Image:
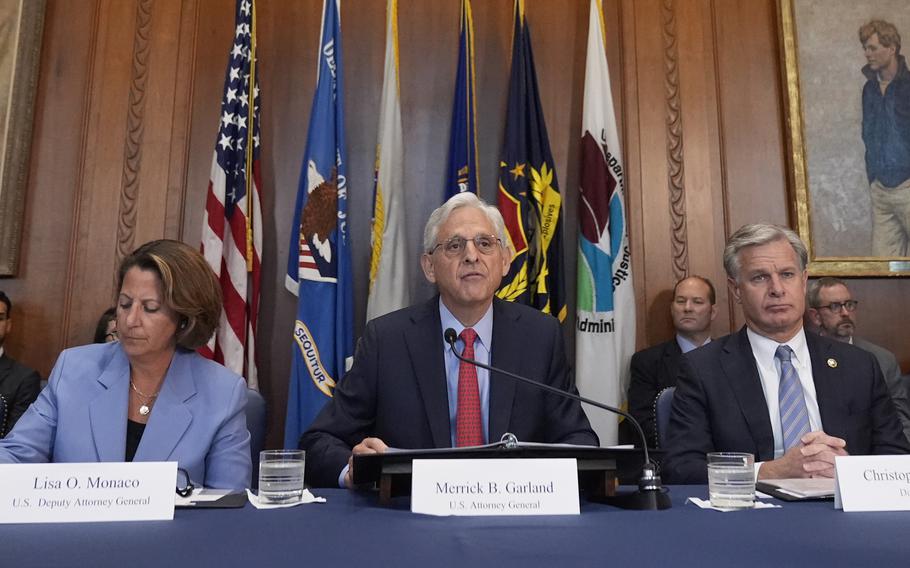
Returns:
(833, 310)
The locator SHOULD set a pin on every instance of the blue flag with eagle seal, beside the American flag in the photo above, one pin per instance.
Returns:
(319, 263)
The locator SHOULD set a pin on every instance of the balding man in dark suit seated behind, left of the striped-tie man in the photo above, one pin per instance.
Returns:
(655, 368)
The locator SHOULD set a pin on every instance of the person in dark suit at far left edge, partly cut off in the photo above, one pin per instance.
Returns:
(19, 385)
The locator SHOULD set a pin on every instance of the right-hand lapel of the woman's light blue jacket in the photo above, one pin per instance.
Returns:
(170, 415)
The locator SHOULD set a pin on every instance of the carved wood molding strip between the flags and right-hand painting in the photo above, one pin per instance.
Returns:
(676, 181)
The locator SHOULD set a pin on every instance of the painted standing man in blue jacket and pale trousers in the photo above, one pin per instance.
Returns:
(886, 136)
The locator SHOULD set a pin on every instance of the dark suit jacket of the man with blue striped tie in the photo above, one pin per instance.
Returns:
(720, 405)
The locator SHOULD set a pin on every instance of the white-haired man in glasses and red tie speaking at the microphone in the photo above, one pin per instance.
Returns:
(406, 389)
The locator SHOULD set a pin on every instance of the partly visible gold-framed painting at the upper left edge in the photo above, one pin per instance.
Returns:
(21, 24)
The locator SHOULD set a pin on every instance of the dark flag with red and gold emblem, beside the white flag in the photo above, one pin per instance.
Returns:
(528, 196)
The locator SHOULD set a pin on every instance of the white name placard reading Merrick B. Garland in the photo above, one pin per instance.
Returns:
(495, 487)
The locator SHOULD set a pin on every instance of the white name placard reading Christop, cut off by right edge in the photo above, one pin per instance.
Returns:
(872, 483)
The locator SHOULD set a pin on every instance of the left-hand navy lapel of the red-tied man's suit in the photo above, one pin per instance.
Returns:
(424, 342)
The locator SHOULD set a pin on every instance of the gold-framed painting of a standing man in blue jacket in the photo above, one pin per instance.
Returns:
(848, 133)
